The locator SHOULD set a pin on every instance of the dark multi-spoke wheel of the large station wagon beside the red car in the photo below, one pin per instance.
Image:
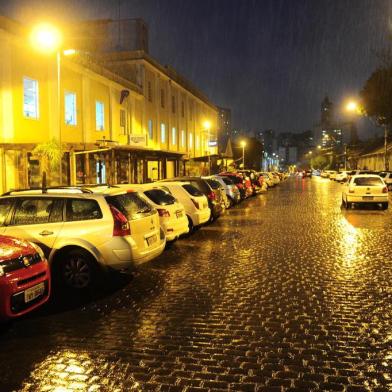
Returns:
(77, 270)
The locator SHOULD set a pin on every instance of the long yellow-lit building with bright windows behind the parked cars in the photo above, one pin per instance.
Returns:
(143, 123)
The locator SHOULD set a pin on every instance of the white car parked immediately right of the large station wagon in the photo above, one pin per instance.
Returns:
(172, 216)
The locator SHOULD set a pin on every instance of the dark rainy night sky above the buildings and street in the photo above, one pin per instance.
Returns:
(270, 61)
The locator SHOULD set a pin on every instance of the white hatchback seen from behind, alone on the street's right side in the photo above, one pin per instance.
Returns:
(365, 188)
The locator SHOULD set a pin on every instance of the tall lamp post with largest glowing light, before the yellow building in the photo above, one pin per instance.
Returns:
(47, 38)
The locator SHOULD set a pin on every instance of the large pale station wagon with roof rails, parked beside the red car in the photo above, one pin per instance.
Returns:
(84, 231)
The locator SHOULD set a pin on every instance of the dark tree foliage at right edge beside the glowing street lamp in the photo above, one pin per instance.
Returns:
(377, 96)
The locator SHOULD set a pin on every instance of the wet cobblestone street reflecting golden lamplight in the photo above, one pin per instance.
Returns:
(285, 292)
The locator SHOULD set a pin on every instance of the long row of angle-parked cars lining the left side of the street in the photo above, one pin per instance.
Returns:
(71, 235)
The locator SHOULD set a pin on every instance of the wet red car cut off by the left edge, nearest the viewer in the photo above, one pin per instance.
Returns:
(24, 277)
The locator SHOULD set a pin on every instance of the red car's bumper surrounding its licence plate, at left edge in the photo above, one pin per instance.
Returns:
(13, 286)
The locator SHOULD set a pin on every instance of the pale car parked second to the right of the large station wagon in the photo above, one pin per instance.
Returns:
(194, 202)
